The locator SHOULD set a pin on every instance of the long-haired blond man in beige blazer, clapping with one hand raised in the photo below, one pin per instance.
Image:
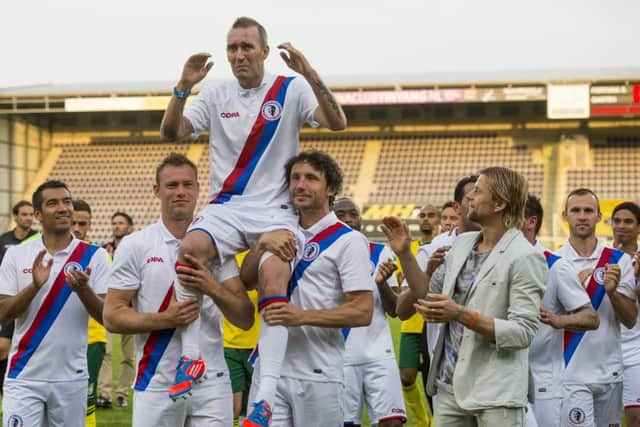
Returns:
(485, 295)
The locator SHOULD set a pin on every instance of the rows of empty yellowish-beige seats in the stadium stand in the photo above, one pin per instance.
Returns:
(406, 171)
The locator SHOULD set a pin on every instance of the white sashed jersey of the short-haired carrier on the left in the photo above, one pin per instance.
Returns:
(145, 263)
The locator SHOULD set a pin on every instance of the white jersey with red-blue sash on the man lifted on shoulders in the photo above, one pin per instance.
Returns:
(252, 134)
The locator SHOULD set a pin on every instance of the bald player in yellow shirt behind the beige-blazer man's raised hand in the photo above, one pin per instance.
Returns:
(411, 330)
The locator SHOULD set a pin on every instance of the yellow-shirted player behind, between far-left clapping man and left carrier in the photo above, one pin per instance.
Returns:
(97, 334)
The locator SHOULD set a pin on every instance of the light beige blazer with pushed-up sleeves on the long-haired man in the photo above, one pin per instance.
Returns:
(509, 288)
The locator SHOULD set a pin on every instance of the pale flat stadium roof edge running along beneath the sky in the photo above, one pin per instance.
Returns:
(459, 78)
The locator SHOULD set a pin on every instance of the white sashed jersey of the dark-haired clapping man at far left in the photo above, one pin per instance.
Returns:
(50, 338)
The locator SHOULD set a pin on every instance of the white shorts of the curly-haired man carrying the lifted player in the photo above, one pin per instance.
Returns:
(305, 403)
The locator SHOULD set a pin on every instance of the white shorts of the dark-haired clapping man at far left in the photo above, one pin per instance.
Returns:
(46, 404)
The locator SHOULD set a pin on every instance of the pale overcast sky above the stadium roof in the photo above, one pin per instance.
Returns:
(73, 41)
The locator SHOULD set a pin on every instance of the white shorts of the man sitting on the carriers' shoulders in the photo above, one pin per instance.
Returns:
(235, 228)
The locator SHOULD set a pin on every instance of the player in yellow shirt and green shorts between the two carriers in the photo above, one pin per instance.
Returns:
(238, 345)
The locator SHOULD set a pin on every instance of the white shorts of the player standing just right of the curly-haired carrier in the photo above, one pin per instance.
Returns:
(378, 385)
